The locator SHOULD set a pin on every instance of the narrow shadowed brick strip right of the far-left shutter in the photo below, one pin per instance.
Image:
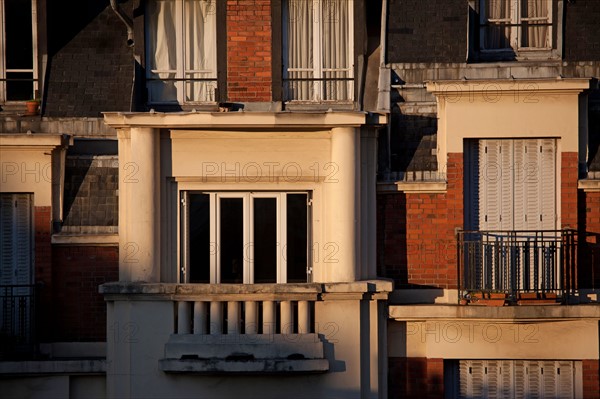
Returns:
(43, 269)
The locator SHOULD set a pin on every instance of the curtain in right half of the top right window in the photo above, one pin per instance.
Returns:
(534, 35)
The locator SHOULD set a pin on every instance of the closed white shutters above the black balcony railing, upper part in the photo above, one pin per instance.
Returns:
(516, 185)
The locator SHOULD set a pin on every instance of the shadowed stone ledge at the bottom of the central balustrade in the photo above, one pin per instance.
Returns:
(258, 366)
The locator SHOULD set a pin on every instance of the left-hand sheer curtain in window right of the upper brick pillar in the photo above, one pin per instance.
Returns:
(300, 62)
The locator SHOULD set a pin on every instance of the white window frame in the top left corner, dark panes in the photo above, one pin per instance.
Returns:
(34, 68)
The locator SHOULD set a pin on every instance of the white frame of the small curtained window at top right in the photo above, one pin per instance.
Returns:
(516, 21)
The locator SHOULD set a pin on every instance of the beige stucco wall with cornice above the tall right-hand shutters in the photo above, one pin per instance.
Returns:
(515, 108)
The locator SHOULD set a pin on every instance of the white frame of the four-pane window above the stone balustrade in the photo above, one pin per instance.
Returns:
(248, 233)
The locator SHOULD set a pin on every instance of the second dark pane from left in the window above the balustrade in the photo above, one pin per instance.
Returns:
(232, 240)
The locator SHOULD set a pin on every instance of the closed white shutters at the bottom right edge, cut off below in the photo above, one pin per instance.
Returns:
(519, 379)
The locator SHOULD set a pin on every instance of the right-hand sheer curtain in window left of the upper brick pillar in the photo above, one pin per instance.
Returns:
(200, 19)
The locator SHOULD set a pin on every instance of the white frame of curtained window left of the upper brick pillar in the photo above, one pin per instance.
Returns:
(180, 72)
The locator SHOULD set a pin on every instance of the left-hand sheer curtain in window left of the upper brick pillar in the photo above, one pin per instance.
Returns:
(162, 50)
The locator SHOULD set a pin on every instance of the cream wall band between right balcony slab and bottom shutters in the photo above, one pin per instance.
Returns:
(494, 339)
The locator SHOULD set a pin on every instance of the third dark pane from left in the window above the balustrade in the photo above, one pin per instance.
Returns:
(265, 240)
